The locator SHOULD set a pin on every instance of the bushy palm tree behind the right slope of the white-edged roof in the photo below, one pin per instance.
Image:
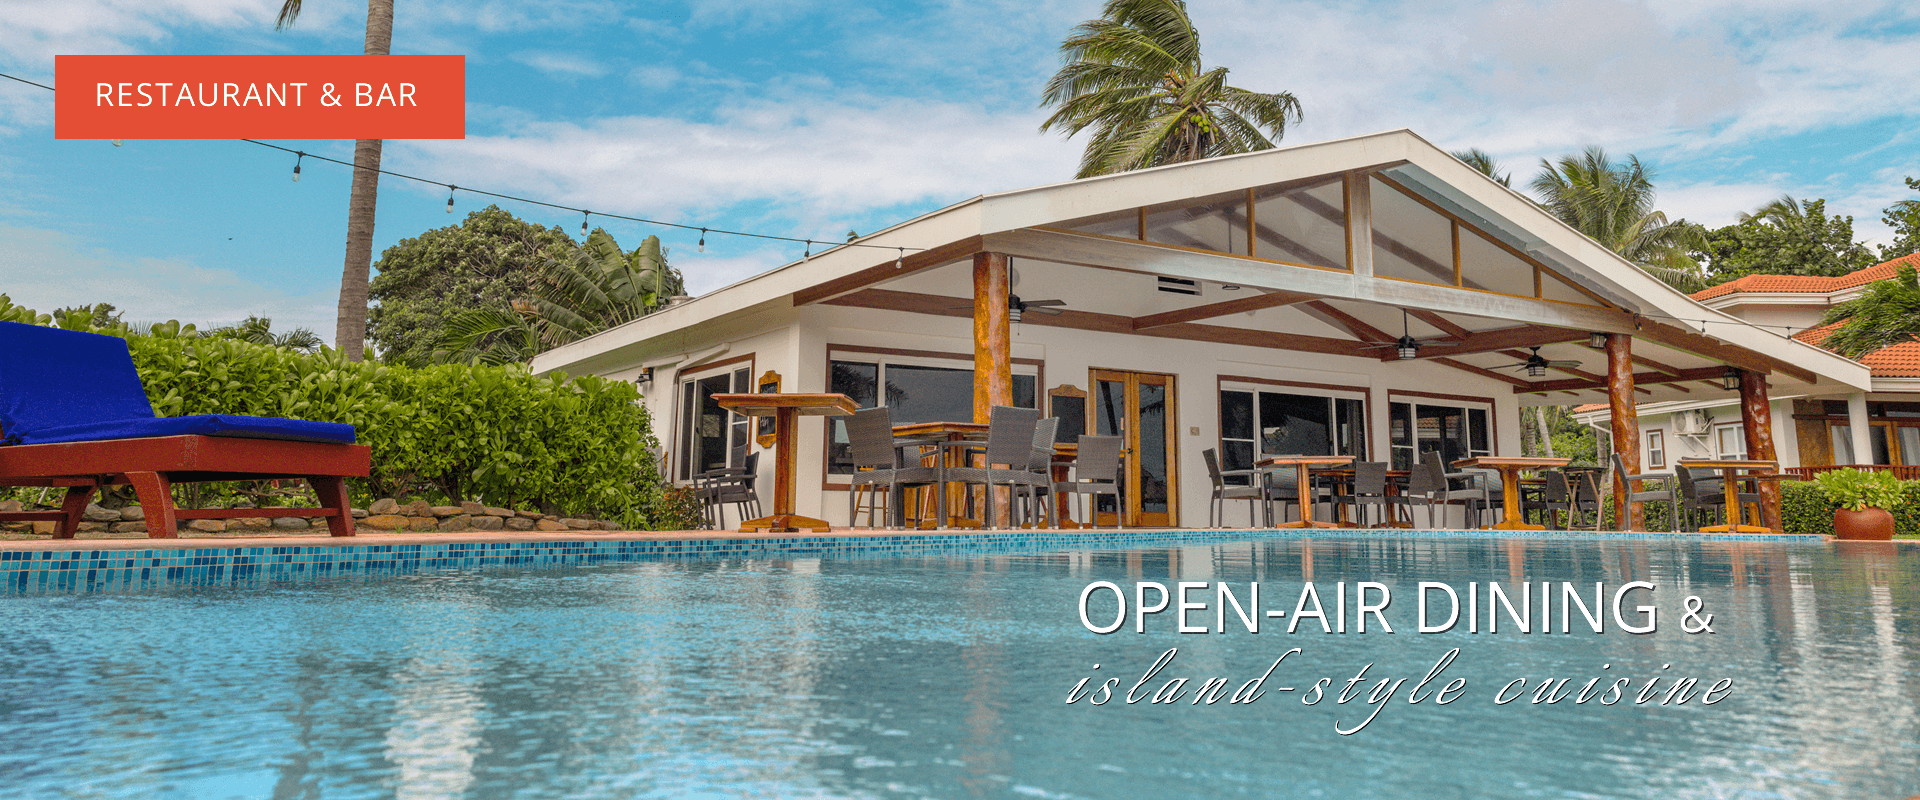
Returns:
(1614, 204)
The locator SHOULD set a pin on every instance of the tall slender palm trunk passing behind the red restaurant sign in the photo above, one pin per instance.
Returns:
(350, 325)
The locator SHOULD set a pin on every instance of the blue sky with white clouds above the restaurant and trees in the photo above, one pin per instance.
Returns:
(805, 118)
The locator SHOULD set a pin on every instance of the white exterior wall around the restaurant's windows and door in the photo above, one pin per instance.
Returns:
(796, 344)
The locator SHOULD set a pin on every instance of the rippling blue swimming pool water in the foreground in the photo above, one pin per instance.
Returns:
(948, 676)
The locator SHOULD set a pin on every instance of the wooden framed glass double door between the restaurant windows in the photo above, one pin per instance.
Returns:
(1140, 408)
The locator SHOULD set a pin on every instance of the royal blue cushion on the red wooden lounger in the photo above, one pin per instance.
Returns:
(72, 387)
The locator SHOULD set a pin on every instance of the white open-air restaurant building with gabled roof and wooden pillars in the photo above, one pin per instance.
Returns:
(1249, 304)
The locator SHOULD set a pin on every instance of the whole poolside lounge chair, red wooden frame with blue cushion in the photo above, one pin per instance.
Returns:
(76, 415)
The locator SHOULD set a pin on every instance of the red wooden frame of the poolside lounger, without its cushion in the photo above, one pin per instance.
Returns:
(155, 465)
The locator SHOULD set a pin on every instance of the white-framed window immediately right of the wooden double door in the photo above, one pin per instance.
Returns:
(1257, 421)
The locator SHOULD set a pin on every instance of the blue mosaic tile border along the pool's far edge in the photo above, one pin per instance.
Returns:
(30, 573)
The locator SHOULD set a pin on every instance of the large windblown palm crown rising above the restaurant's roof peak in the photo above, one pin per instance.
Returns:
(1136, 80)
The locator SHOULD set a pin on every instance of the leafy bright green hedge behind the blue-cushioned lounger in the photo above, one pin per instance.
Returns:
(494, 435)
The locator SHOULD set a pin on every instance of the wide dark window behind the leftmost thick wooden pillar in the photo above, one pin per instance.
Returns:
(917, 388)
